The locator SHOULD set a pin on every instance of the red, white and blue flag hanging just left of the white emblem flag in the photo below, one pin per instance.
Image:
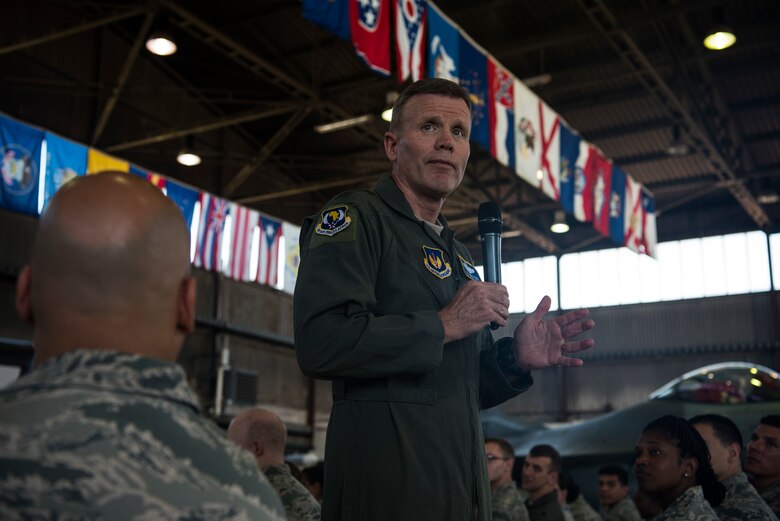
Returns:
(501, 110)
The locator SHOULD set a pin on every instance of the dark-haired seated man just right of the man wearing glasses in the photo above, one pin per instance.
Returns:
(540, 480)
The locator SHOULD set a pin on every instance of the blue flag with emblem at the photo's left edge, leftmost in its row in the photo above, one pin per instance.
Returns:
(20, 152)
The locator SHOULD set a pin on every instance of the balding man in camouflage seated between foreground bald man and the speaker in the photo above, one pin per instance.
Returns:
(263, 434)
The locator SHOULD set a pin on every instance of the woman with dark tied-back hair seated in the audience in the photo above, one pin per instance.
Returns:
(672, 467)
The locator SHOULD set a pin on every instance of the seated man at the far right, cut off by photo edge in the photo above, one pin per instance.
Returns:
(763, 461)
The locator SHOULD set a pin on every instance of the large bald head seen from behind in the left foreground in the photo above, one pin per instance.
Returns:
(110, 268)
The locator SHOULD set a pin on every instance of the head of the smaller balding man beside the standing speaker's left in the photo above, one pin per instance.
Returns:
(262, 433)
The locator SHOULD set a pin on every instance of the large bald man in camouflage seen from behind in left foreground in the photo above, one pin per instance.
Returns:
(106, 426)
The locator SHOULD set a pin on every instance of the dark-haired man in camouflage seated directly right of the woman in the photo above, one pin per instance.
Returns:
(742, 502)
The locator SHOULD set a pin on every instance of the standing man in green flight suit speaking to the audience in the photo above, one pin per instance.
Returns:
(389, 307)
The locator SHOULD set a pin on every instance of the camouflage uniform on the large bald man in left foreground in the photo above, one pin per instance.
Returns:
(105, 435)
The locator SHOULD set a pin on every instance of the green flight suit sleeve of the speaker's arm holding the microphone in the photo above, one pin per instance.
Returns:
(337, 332)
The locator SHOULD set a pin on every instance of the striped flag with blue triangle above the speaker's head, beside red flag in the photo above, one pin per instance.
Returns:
(410, 39)
